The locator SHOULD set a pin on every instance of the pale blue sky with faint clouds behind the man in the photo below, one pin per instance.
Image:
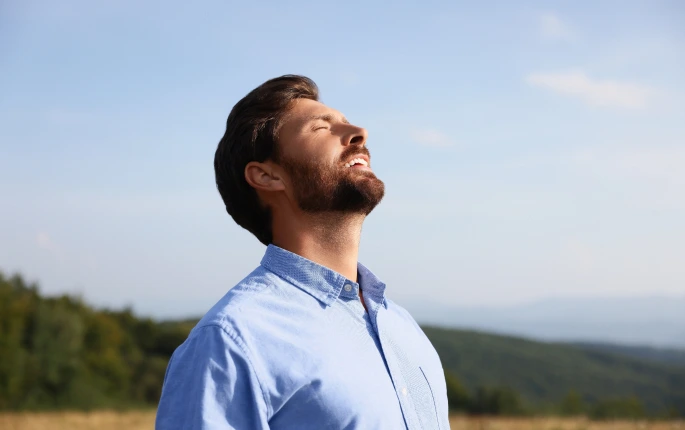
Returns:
(530, 150)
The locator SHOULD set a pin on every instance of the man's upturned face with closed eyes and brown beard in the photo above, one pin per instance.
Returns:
(326, 160)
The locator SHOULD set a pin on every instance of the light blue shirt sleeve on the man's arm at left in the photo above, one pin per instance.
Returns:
(210, 384)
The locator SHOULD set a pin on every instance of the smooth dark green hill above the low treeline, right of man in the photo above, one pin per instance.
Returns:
(545, 372)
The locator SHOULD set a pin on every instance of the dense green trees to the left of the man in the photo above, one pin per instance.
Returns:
(61, 353)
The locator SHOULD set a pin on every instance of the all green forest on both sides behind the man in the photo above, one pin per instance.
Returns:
(61, 353)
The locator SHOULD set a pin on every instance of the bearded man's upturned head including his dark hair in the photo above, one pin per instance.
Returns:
(281, 144)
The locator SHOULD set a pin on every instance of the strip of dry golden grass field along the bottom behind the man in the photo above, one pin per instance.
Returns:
(146, 419)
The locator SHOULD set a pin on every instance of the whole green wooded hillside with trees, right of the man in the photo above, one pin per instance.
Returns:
(509, 375)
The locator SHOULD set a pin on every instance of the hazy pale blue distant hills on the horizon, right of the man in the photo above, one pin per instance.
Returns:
(649, 321)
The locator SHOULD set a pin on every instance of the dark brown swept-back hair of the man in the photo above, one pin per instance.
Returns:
(251, 135)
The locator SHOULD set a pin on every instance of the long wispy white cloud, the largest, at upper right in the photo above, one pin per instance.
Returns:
(606, 93)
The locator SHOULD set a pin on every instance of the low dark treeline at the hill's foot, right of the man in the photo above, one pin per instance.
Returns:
(507, 402)
